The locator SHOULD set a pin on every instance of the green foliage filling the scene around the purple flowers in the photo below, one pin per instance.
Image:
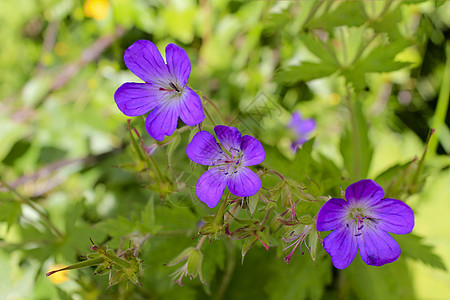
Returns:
(71, 169)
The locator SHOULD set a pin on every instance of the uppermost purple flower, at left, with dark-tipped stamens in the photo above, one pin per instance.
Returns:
(164, 92)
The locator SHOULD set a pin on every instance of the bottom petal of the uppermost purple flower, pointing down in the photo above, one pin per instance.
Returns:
(162, 121)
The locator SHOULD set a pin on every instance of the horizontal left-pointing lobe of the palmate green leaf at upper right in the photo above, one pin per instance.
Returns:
(305, 72)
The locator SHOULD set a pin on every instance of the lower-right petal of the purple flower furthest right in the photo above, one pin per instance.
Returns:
(377, 247)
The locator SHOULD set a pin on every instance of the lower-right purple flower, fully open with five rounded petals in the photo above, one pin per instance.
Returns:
(363, 222)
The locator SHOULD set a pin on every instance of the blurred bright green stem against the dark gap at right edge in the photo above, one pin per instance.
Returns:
(442, 105)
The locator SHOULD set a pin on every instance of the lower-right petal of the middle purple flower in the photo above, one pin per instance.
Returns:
(244, 182)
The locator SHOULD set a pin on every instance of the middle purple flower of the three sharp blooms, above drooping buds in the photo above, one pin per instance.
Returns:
(229, 163)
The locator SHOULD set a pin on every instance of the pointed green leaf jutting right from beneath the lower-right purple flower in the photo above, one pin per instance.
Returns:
(413, 247)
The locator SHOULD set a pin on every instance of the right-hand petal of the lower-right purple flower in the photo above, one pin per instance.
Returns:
(393, 216)
